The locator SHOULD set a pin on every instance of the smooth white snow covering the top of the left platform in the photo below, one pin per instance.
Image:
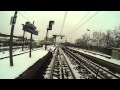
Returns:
(21, 64)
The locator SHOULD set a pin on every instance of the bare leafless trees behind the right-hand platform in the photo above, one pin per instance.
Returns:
(99, 39)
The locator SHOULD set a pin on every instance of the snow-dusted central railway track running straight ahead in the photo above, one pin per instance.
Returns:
(59, 67)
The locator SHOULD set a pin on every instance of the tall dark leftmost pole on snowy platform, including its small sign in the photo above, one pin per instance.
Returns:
(13, 21)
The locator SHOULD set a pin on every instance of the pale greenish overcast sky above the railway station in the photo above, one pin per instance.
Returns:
(103, 21)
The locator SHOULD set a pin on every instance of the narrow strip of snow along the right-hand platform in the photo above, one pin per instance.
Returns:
(115, 61)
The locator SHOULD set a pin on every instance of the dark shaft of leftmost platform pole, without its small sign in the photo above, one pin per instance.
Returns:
(11, 41)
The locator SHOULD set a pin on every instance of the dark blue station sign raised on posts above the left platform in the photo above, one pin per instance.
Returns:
(30, 28)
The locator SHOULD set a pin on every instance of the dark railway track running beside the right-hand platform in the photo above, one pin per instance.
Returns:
(91, 69)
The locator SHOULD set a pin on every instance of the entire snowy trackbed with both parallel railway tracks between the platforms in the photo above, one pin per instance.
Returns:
(67, 64)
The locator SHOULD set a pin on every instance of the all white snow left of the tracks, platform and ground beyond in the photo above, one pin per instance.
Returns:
(21, 62)
